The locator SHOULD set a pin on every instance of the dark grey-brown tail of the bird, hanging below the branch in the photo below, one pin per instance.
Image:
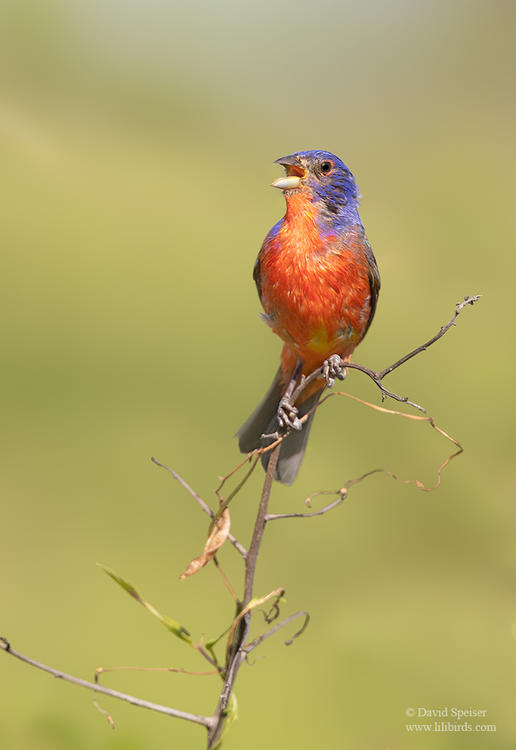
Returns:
(264, 421)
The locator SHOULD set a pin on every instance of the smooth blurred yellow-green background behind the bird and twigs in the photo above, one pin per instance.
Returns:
(137, 141)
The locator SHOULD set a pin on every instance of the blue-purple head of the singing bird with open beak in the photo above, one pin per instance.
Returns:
(326, 180)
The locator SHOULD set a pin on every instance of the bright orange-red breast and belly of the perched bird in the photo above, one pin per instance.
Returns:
(315, 286)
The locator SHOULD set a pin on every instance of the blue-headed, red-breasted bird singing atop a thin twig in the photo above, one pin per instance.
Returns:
(318, 283)
